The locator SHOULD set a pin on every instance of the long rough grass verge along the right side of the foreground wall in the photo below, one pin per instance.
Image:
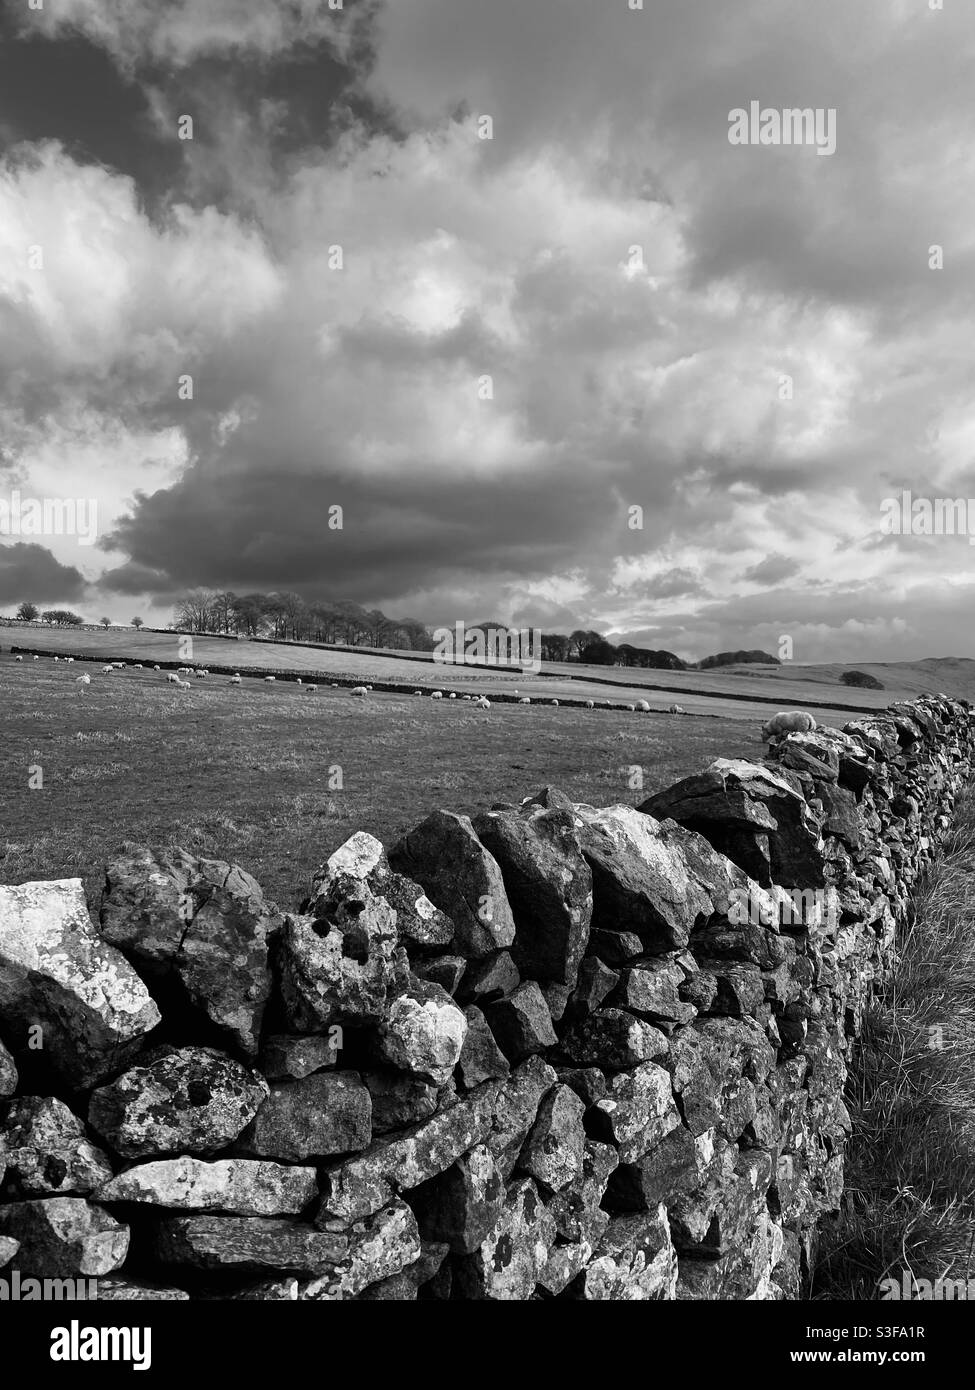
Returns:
(910, 1164)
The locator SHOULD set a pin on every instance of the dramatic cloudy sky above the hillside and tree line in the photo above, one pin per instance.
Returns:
(493, 279)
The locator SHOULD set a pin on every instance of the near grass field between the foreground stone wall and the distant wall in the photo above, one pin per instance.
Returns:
(244, 774)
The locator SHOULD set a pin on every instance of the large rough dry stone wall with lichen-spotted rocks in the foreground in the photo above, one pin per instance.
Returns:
(554, 1053)
